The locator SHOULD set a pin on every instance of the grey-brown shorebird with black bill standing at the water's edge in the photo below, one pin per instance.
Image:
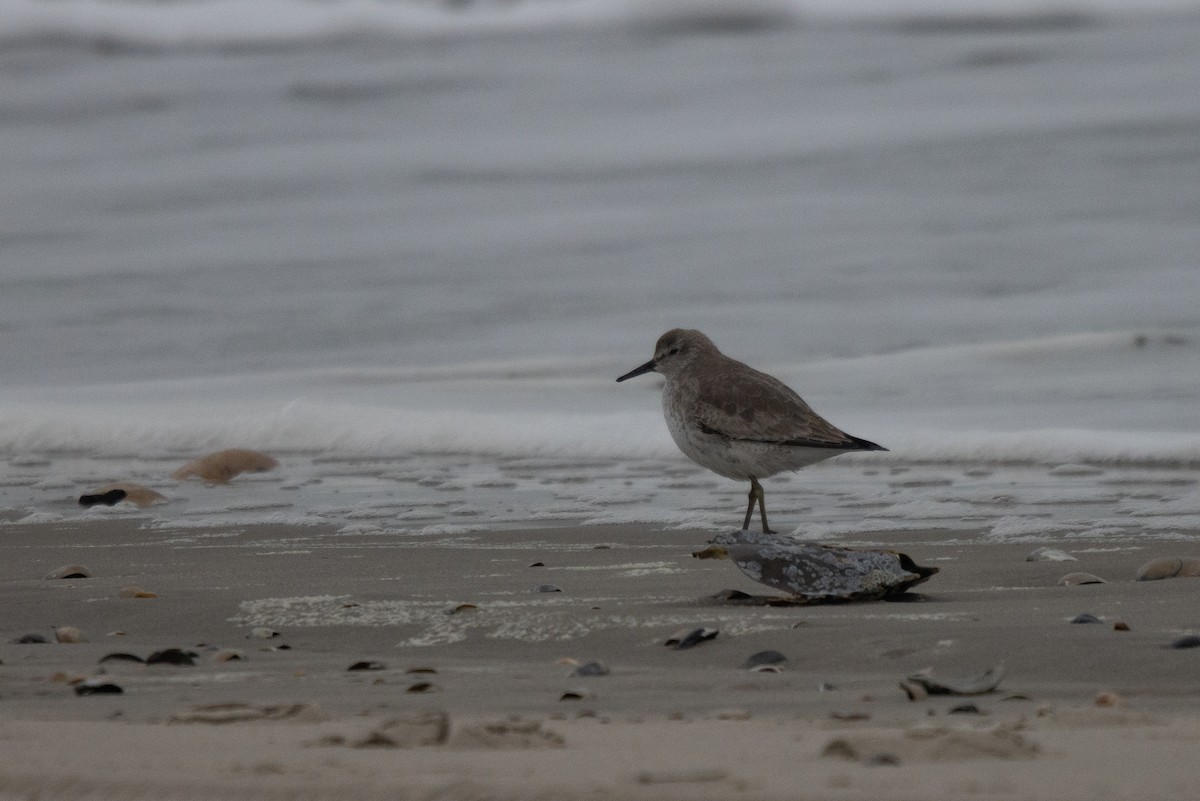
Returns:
(737, 421)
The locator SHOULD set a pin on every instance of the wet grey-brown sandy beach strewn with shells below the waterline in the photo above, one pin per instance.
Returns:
(1085, 710)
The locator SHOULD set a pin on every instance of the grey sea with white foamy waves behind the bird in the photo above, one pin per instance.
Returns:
(407, 248)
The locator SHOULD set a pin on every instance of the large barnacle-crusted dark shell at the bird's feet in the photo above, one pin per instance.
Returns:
(818, 574)
